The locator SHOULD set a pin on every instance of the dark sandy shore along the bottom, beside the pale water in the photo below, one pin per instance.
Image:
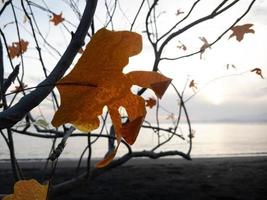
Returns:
(141, 179)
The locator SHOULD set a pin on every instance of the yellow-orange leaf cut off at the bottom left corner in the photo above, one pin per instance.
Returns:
(28, 190)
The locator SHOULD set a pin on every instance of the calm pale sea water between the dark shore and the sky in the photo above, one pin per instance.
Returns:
(210, 140)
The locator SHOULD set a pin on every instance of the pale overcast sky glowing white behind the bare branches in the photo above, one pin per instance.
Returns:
(229, 95)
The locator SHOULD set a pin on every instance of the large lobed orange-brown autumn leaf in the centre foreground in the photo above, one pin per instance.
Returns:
(97, 81)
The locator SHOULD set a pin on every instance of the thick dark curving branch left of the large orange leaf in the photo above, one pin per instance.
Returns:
(14, 114)
